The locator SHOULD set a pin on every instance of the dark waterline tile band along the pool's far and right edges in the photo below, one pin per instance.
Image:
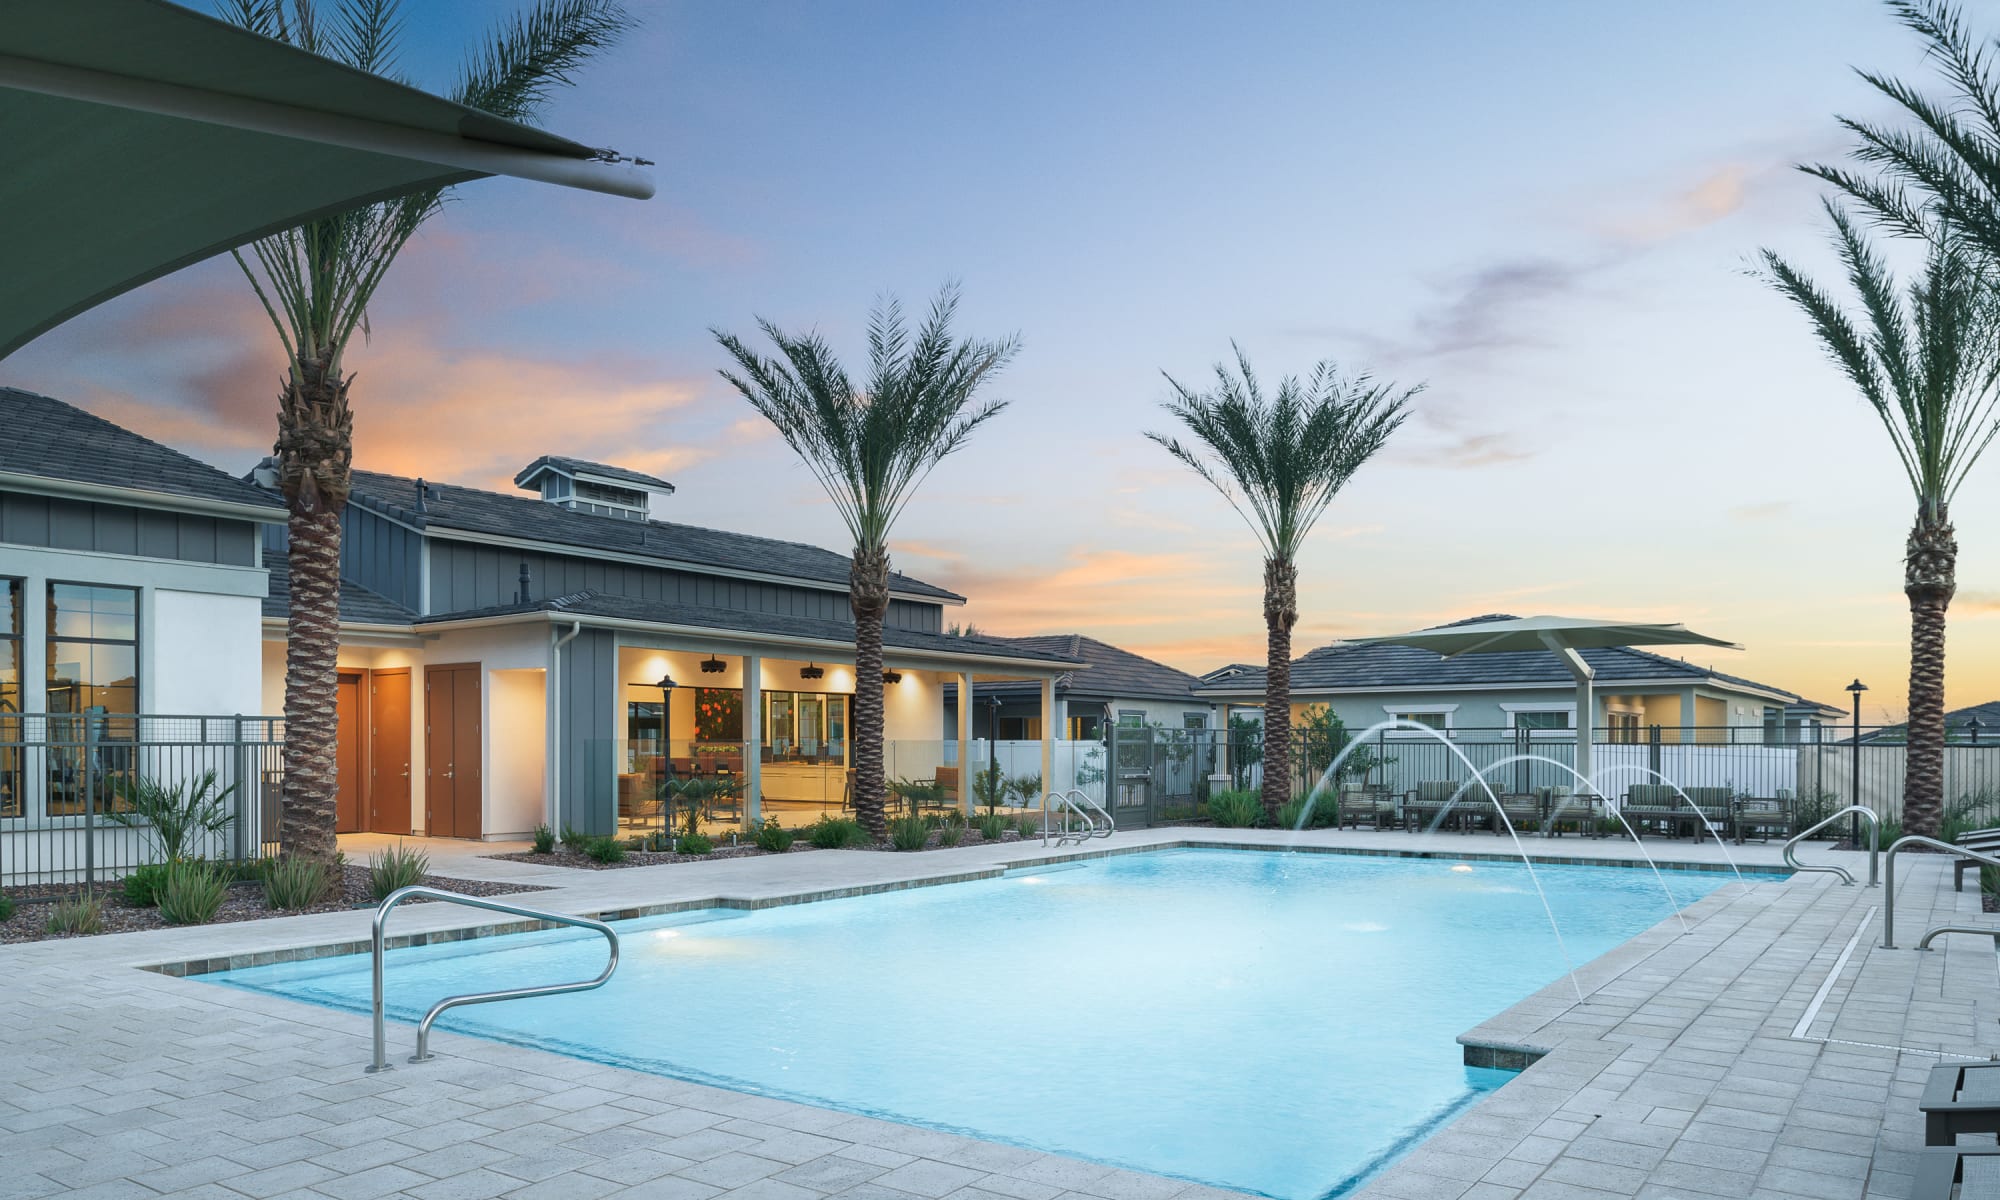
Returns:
(1489, 1053)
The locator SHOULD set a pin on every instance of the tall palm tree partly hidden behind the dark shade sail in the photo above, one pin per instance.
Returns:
(315, 283)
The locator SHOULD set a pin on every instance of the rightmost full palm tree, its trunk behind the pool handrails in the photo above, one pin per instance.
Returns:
(1927, 363)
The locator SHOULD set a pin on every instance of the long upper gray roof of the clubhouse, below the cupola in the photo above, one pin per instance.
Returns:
(449, 507)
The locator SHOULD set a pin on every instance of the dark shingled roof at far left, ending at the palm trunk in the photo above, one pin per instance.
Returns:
(47, 439)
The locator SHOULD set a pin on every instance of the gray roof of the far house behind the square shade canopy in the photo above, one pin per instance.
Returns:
(1383, 669)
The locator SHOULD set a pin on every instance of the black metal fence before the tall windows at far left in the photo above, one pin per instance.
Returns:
(85, 799)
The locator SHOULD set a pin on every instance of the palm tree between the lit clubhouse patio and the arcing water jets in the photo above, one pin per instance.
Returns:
(1281, 463)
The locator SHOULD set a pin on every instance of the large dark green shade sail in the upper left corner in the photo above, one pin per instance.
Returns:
(139, 137)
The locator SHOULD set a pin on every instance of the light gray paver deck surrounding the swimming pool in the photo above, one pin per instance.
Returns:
(1773, 1051)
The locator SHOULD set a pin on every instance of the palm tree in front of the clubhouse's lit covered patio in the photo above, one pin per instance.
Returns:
(871, 451)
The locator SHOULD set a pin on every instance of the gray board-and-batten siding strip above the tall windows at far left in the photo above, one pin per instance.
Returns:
(59, 523)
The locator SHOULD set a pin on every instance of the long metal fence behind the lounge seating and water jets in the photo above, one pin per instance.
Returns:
(1165, 775)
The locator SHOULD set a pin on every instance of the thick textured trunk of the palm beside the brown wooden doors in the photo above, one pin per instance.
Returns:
(315, 459)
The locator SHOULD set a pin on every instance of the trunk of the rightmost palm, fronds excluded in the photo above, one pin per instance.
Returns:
(1931, 577)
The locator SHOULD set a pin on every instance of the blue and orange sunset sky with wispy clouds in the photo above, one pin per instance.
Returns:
(1543, 211)
